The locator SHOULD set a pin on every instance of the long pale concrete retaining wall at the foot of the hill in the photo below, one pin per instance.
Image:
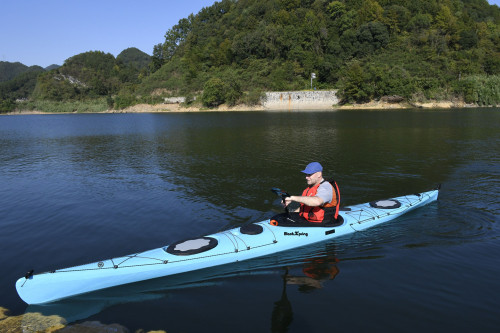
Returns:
(301, 100)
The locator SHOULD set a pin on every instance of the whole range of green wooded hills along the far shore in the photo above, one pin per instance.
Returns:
(234, 50)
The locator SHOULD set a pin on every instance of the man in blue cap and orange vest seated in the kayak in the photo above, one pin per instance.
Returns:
(319, 202)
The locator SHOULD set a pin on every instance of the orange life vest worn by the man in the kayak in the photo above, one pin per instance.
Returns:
(325, 213)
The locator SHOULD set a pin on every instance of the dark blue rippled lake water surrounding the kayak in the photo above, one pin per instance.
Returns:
(79, 188)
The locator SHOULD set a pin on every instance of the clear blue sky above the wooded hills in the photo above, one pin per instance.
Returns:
(43, 33)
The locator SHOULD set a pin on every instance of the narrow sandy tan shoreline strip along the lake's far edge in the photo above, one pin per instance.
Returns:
(175, 108)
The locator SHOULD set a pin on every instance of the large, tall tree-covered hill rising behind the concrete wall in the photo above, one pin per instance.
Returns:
(366, 48)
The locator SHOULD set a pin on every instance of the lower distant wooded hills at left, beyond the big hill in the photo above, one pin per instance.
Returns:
(86, 75)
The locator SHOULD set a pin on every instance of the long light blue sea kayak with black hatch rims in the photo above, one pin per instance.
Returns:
(229, 246)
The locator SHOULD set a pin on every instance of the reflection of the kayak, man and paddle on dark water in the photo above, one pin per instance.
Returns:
(308, 268)
